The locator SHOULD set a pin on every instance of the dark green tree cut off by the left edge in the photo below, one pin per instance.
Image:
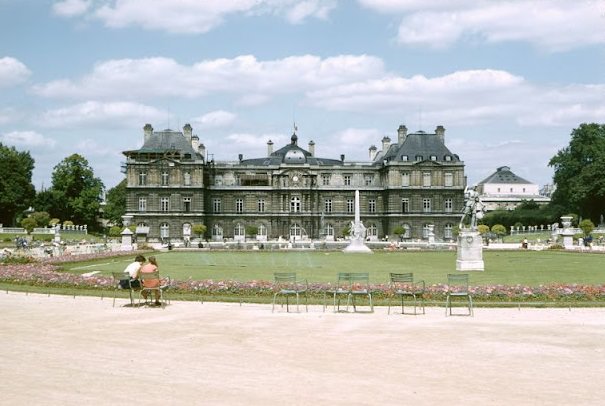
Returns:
(16, 189)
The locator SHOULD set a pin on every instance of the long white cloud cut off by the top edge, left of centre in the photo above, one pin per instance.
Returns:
(188, 16)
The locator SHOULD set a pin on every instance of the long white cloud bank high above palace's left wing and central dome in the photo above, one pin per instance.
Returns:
(245, 75)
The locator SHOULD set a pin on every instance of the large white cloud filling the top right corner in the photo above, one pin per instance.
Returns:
(555, 25)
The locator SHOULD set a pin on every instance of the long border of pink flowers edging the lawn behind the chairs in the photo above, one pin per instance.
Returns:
(46, 273)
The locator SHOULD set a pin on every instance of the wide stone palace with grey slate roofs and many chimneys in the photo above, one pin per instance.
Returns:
(415, 184)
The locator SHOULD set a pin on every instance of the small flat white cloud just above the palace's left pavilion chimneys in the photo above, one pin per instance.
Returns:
(112, 114)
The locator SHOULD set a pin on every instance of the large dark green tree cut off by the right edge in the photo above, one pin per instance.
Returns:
(579, 169)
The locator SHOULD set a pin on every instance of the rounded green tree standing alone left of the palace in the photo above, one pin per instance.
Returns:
(77, 191)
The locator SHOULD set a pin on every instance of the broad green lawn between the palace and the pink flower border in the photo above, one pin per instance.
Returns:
(530, 268)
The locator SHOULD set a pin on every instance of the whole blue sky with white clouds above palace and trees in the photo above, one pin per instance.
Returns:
(509, 80)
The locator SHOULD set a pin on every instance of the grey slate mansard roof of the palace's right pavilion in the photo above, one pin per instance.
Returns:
(420, 144)
